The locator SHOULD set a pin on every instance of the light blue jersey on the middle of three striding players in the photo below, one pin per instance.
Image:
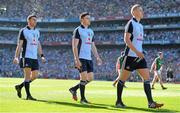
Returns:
(86, 37)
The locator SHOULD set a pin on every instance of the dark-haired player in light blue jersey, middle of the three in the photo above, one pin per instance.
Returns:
(82, 45)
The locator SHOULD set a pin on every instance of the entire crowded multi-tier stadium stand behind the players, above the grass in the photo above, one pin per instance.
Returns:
(58, 18)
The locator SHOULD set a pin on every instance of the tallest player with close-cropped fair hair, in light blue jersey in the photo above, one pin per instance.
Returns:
(134, 58)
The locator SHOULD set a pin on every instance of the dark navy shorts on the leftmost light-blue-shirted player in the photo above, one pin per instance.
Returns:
(29, 63)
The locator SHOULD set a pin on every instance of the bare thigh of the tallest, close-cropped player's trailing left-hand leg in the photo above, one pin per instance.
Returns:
(124, 74)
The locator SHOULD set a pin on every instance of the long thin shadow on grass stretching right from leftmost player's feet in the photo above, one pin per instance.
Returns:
(94, 106)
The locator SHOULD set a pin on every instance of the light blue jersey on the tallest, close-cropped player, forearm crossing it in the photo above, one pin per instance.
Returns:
(136, 30)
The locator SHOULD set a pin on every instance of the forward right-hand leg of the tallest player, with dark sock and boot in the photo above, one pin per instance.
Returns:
(144, 73)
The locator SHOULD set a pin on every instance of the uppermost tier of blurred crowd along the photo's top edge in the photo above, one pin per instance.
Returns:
(72, 8)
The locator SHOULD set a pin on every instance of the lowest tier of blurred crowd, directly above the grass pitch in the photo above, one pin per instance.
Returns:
(60, 63)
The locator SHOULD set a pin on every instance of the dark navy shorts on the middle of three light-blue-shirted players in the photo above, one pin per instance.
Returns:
(87, 65)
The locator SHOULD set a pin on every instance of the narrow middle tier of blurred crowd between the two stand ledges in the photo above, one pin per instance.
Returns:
(114, 37)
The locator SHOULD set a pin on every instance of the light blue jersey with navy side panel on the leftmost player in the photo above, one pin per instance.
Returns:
(30, 39)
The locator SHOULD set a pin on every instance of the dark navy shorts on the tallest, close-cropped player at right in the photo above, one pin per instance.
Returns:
(133, 63)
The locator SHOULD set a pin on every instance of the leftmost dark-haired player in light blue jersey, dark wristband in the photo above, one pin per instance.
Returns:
(28, 47)
